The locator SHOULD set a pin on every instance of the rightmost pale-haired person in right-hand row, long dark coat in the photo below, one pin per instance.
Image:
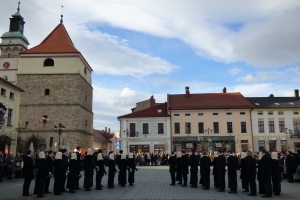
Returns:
(276, 176)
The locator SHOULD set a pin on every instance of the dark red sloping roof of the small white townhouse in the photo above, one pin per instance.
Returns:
(150, 112)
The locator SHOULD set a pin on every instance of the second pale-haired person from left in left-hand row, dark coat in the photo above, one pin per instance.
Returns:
(58, 174)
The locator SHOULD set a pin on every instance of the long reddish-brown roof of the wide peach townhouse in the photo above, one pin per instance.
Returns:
(208, 101)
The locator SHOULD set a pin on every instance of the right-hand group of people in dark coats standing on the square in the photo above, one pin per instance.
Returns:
(269, 168)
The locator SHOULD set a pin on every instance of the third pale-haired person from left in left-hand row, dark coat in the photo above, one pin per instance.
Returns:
(73, 173)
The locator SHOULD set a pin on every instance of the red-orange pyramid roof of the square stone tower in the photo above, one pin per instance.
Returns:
(58, 41)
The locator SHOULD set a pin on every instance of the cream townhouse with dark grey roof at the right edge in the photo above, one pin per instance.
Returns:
(276, 122)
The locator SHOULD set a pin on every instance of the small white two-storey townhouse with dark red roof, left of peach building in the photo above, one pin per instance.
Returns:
(146, 130)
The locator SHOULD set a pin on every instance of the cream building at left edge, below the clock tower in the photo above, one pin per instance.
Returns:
(10, 98)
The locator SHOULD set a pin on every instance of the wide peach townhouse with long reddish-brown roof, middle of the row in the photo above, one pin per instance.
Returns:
(210, 121)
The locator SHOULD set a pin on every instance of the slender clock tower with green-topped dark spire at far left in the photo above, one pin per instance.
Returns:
(13, 42)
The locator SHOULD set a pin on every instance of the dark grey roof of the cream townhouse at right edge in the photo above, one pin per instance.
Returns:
(274, 102)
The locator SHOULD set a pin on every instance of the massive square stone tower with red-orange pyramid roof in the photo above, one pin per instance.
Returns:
(57, 83)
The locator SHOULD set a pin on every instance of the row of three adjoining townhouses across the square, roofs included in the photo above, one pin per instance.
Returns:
(212, 121)
